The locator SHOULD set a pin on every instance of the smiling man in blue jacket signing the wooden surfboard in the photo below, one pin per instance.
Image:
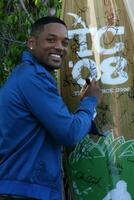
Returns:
(35, 122)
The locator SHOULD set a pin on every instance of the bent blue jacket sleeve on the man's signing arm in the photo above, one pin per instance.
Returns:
(42, 98)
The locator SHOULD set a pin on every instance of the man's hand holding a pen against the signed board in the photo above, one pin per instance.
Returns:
(91, 89)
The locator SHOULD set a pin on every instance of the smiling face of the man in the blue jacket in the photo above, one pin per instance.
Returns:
(50, 47)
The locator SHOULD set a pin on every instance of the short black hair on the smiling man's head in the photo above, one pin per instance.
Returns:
(38, 26)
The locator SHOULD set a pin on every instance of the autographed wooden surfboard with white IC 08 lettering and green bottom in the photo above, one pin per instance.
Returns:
(101, 45)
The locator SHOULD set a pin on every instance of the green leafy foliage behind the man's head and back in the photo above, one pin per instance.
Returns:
(16, 17)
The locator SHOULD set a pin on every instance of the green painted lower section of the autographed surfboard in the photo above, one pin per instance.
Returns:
(97, 167)
